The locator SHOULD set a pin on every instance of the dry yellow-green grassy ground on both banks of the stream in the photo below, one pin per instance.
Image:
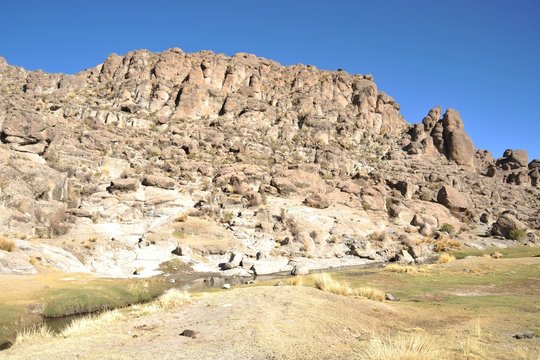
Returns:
(469, 308)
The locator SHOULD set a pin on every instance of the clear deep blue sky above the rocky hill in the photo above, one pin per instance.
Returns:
(480, 57)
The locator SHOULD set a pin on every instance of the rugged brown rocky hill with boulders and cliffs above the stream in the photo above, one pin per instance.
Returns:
(241, 165)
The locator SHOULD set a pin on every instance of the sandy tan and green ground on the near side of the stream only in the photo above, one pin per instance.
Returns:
(469, 314)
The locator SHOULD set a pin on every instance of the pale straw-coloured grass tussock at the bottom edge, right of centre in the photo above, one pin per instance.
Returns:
(404, 347)
